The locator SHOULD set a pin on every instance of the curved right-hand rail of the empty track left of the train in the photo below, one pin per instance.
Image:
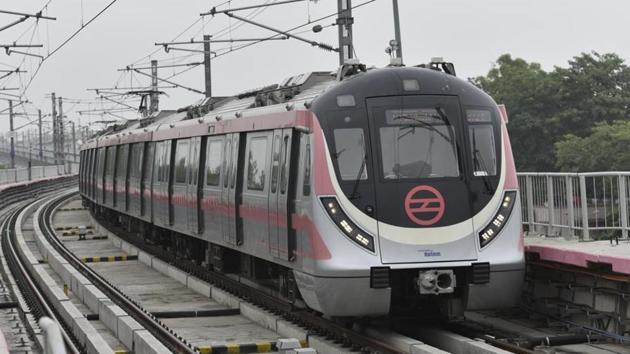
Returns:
(145, 318)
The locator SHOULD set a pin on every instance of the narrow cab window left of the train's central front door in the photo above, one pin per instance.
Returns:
(350, 153)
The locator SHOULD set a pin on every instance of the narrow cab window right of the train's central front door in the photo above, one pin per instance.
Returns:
(483, 150)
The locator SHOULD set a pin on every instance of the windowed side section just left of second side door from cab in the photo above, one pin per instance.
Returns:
(213, 206)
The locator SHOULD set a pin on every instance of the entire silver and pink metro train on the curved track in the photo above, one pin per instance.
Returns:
(360, 192)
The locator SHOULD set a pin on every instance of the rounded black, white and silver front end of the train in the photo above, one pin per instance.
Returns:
(417, 198)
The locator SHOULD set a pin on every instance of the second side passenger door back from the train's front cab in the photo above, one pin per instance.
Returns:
(231, 193)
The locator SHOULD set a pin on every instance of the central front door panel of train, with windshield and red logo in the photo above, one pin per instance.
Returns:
(421, 194)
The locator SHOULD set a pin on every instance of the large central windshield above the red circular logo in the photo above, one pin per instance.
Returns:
(417, 143)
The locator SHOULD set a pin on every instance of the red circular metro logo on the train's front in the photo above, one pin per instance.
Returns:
(424, 205)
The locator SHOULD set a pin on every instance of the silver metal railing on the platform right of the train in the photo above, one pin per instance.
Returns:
(586, 205)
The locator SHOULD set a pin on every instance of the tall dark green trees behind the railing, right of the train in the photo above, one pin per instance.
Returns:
(560, 105)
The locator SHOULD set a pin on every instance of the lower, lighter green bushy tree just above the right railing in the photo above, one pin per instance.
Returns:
(605, 149)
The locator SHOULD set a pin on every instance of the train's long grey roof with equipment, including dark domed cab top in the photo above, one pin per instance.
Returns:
(294, 93)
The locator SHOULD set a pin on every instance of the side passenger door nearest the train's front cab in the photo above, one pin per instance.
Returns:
(282, 194)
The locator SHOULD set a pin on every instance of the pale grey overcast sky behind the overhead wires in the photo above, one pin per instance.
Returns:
(471, 34)
